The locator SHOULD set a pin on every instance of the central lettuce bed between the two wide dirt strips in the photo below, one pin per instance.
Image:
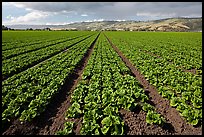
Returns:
(107, 86)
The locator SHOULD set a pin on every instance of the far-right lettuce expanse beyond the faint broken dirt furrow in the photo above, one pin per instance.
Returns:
(173, 47)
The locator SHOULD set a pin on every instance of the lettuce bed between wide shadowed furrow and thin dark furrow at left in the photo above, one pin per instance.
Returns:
(27, 94)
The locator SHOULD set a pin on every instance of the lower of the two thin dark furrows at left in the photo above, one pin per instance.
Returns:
(43, 59)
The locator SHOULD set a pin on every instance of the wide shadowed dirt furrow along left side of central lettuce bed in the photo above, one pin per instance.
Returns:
(53, 118)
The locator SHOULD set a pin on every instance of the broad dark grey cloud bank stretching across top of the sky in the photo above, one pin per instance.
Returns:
(117, 9)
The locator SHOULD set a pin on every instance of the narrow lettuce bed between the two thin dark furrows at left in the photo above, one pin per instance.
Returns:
(19, 63)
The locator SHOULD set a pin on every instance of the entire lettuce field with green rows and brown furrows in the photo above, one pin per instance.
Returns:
(101, 83)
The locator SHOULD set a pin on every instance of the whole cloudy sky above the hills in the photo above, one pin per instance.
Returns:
(60, 13)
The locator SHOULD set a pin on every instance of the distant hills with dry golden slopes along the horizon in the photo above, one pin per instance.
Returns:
(169, 24)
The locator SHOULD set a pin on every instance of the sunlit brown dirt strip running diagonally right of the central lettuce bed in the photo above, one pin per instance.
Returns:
(176, 123)
